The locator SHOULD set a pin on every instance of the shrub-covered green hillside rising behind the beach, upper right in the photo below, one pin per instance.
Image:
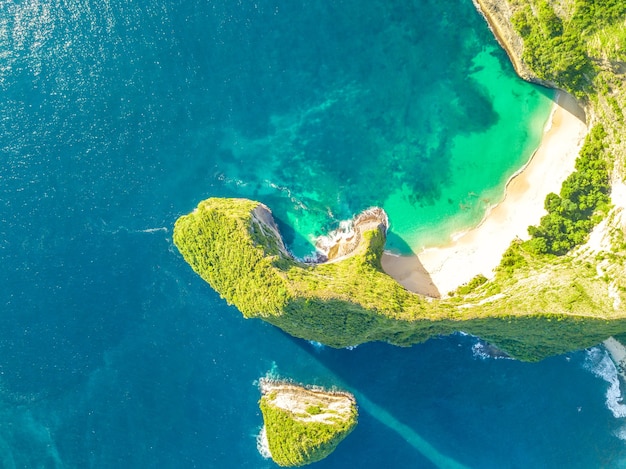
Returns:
(580, 46)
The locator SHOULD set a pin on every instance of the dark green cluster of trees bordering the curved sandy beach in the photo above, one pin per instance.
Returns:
(584, 193)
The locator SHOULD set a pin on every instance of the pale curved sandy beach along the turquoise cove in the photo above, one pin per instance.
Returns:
(439, 270)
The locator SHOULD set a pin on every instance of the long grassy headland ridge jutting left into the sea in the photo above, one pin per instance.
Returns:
(543, 307)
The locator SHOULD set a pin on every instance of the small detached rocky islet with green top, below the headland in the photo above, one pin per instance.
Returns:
(304, 425)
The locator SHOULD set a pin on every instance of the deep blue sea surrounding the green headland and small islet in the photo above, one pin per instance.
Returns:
(118, 117)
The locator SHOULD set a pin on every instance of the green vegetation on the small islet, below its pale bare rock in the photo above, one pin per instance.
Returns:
(296, 438)
